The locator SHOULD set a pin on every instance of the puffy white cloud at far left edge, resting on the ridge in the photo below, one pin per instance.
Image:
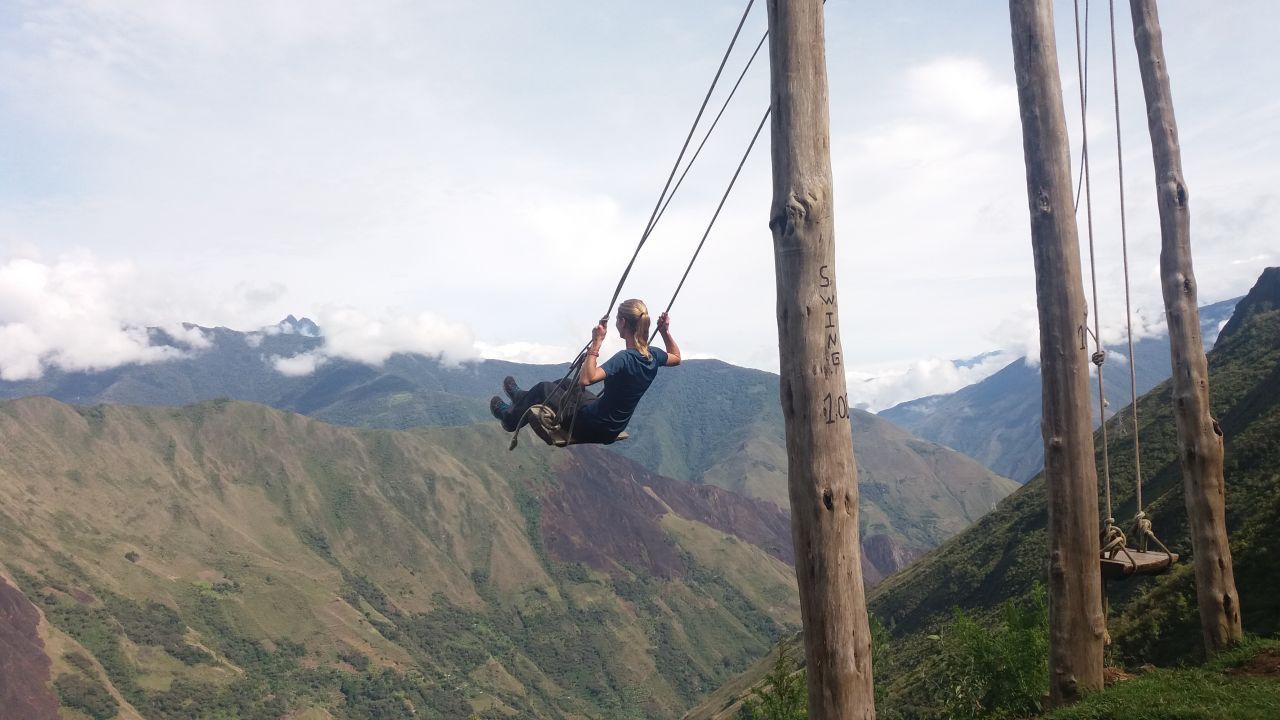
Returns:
(74, 315)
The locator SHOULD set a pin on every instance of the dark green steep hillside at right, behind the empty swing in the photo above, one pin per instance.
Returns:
(1153, 621)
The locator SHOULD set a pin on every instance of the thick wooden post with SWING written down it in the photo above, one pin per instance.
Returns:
(822, 476)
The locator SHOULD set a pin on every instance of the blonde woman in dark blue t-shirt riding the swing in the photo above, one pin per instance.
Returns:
(627, 379)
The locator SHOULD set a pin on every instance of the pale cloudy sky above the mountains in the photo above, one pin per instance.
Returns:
(472, 179)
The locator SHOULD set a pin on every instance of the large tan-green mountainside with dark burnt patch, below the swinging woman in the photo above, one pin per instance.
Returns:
(230, 560)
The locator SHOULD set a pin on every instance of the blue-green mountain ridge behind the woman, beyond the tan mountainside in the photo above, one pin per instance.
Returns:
(706, 422)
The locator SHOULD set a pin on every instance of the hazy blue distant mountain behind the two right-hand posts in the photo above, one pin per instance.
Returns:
(996, 421)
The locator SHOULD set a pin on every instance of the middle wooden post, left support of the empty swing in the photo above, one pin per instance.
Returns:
(1075, 578)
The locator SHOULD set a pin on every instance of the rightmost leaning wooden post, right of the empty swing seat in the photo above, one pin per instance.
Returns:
(1200, 440)
